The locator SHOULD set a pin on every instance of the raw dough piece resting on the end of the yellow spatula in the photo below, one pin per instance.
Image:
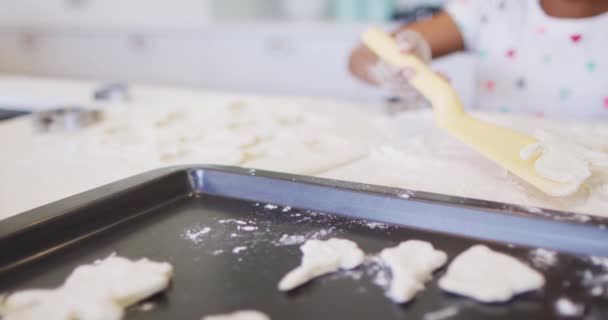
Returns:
(564, 159)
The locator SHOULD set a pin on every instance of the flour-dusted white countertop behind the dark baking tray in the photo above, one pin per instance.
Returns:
(161, 126)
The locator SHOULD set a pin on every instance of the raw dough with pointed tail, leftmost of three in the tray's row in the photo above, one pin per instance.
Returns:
(322, 257)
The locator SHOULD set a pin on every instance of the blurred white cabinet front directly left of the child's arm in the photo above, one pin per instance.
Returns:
(300, 59)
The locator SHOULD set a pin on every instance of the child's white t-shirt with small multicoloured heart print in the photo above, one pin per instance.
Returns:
(529, 62)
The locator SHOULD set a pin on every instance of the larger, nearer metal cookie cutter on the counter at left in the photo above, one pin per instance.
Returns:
(67, 118)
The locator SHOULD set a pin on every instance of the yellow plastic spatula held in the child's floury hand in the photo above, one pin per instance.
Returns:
(498, 144)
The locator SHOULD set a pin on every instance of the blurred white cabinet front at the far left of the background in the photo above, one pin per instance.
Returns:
(112, 57)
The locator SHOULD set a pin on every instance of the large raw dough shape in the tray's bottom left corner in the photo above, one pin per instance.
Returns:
(97, 291)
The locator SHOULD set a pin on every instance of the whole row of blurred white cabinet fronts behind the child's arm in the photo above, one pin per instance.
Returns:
(304, 59)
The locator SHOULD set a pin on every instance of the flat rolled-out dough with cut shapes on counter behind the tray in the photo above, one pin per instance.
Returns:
(263, 135)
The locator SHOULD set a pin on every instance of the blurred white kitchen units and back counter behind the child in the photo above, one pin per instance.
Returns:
(282, 47)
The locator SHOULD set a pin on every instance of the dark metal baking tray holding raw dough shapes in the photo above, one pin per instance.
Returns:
(163, 214)
